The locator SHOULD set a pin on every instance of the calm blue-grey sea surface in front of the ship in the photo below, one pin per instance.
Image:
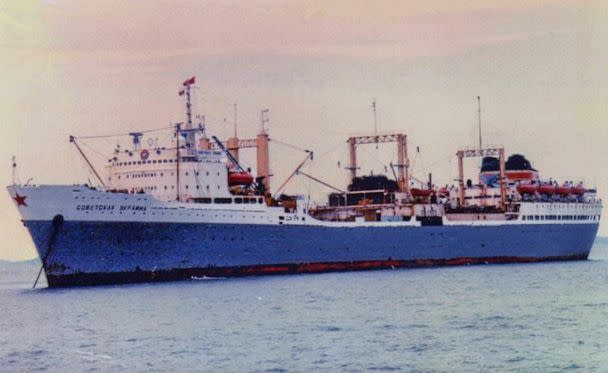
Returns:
(533, 317)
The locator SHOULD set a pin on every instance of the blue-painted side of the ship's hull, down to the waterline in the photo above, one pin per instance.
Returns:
(89, 253)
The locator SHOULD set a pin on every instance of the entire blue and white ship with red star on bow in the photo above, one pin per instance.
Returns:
(189, 210)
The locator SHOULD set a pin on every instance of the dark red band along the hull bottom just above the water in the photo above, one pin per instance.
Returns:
(112, 278)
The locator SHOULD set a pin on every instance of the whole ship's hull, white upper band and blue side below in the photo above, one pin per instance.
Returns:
(83, 240)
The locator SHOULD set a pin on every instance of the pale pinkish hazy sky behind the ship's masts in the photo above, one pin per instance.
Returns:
(92, 68)
